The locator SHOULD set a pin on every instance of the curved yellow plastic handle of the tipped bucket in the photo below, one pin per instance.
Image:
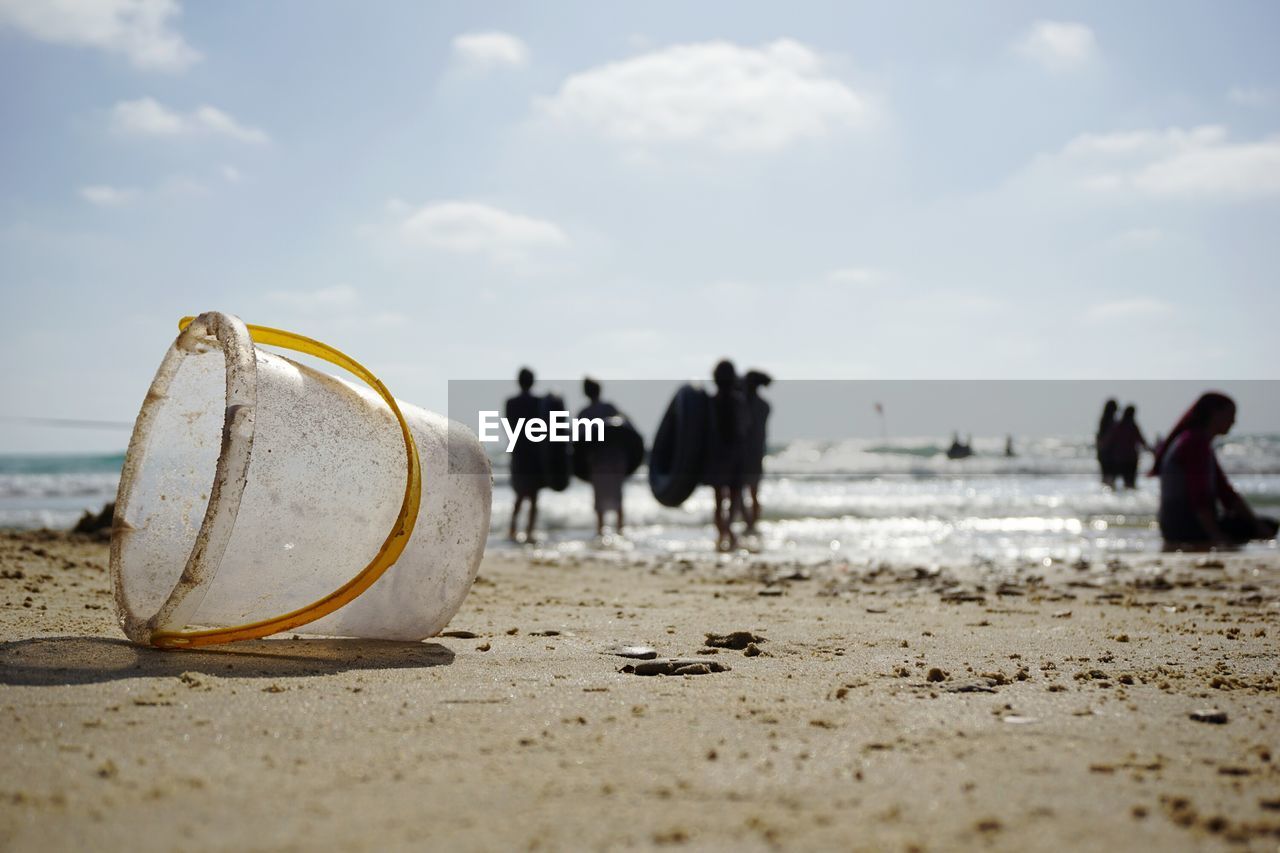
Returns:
(387, 555)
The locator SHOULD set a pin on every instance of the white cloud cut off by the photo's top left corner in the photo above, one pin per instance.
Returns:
(140, 30)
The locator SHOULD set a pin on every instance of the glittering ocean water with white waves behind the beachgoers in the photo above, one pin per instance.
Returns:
(862, 501)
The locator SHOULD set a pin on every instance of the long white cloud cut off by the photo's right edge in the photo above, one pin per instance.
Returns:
(1201, 163)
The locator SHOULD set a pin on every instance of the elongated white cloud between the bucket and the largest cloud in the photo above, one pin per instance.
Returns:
(472, 227)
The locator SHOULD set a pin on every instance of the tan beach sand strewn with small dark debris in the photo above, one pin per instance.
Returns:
(886, 710)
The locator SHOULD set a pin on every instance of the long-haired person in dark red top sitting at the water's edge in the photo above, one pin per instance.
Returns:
(1199, 508)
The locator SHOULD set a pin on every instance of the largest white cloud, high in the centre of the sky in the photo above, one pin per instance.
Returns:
(715, 94)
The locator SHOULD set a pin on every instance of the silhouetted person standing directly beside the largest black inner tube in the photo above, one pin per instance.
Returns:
(726, 451)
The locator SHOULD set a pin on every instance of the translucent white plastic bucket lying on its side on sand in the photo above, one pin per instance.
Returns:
(260, 496)
